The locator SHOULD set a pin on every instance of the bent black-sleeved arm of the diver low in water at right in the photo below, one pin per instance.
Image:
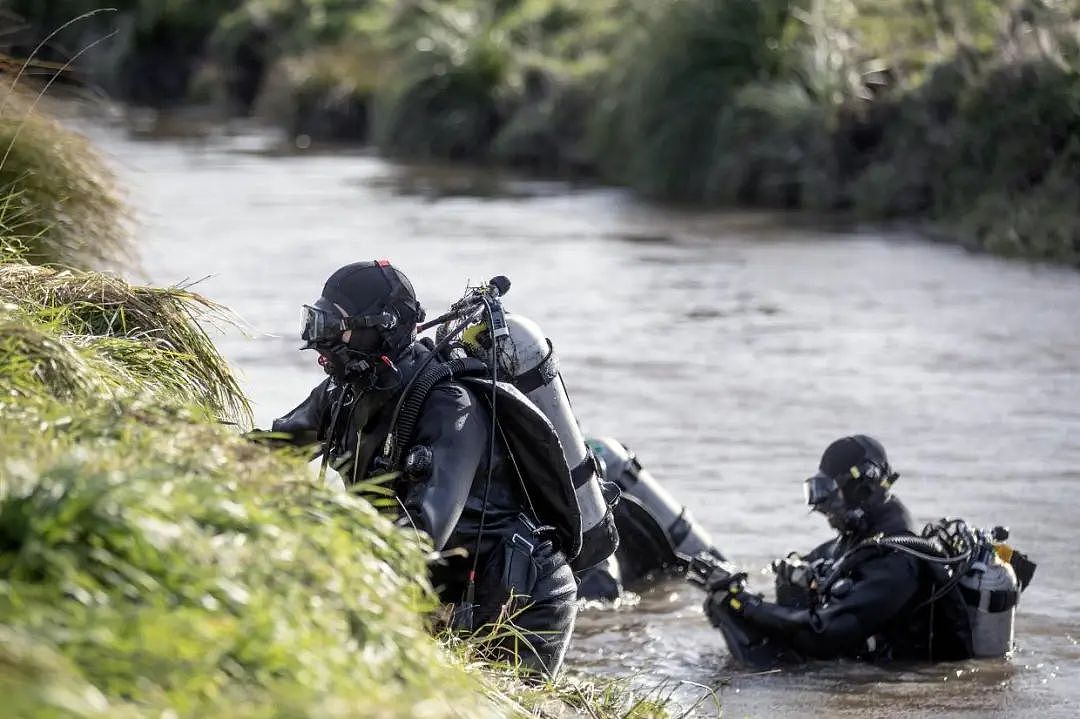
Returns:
(882, 588)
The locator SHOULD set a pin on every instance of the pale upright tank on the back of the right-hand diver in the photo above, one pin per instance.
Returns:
(992, 591)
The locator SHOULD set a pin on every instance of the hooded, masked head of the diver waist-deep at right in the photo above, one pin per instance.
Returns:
(854, 476)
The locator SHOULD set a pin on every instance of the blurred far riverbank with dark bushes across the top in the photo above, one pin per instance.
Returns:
(963, 115)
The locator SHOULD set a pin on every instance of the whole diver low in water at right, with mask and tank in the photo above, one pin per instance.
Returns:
(880, 590)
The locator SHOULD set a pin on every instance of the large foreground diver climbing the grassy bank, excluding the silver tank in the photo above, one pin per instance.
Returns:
(496, 497)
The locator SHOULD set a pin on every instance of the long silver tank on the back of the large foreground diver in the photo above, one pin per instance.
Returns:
(528, 360)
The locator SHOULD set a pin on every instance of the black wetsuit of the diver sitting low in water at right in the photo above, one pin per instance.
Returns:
(884, 616)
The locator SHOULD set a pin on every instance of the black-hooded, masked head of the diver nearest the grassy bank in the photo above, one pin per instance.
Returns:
(376, 304)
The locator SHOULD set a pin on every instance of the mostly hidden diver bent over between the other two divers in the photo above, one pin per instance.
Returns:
(658, 537)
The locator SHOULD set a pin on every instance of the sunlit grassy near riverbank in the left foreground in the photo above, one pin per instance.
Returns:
(153, 560)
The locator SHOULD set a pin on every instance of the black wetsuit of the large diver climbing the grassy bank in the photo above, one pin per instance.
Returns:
(518, 559)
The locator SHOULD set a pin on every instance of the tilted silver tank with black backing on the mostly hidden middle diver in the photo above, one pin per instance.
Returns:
(657, 532)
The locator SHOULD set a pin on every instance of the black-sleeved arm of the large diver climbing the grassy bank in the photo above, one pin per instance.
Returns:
(455, 430)
